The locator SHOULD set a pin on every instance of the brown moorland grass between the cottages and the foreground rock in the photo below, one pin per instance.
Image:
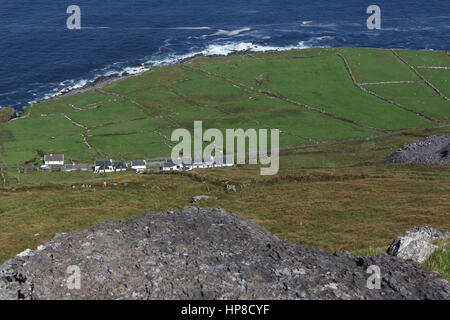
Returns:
(354, 208)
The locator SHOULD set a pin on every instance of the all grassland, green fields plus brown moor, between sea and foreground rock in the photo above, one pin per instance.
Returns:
(340, 112)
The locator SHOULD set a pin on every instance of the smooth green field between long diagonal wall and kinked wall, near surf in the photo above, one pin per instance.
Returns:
(323, 83)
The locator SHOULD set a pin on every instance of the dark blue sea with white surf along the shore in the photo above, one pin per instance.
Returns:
(39, 56)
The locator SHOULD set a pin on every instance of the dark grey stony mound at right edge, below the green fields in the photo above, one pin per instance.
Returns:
(431, 150)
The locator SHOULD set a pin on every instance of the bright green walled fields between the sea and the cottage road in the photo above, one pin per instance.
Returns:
(308, 94)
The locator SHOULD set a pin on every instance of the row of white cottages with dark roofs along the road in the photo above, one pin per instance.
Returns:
(57, 161)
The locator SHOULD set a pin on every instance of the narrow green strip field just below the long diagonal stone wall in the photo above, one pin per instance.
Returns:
(267, 111)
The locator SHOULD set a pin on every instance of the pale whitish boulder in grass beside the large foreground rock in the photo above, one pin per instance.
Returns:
(416, 244)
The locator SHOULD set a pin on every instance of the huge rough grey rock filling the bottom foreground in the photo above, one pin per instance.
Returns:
(204, 253)
